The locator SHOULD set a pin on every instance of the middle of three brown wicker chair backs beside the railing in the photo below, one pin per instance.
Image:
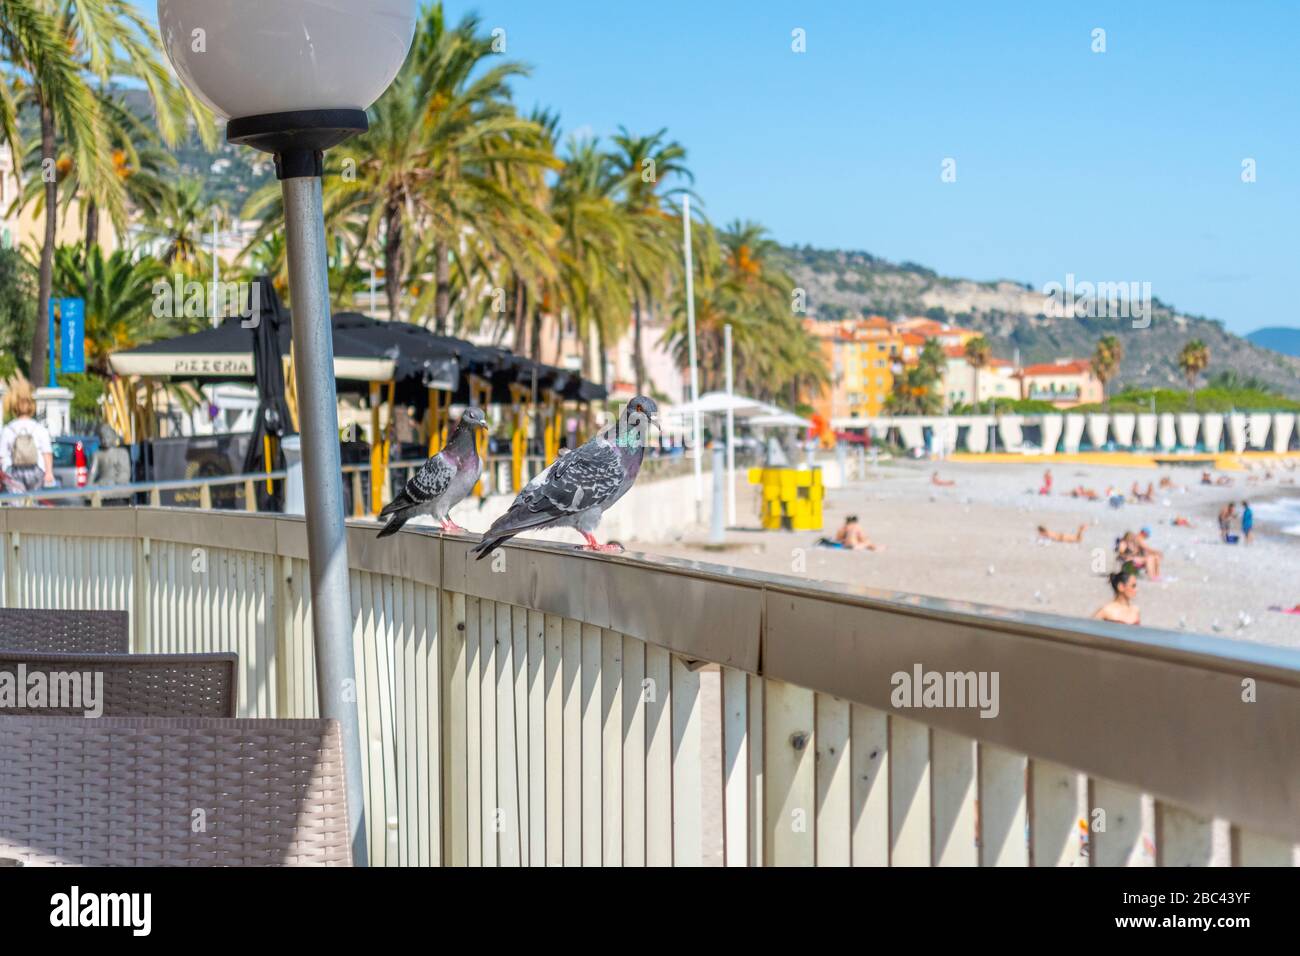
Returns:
(133, 685)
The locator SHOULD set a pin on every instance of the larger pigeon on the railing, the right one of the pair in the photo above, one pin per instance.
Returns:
(577, 490)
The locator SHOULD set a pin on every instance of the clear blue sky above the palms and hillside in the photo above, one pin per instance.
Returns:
(1124, 166)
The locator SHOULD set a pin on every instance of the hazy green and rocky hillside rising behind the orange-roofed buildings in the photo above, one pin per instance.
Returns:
(1012, 315)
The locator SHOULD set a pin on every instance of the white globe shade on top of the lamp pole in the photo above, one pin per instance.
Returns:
(253, 58)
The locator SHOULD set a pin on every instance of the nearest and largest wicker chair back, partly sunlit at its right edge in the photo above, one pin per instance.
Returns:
(172, 793)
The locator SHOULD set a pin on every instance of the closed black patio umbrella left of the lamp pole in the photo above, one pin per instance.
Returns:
(272, 419)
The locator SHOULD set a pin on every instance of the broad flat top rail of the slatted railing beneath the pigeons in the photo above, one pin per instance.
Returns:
(1146, 708)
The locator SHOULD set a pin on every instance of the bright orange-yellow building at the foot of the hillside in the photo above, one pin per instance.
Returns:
(863, 356)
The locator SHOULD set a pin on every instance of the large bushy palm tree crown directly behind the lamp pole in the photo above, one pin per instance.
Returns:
(427, 184)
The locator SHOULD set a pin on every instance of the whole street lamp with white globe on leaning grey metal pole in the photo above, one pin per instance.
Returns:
(294, 79)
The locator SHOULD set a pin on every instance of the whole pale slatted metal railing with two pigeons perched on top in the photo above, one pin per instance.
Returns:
(552, 707)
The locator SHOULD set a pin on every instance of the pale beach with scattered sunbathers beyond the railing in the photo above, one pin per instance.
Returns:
(977, 542)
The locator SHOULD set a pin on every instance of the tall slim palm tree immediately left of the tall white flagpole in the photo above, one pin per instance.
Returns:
(644, 165)
